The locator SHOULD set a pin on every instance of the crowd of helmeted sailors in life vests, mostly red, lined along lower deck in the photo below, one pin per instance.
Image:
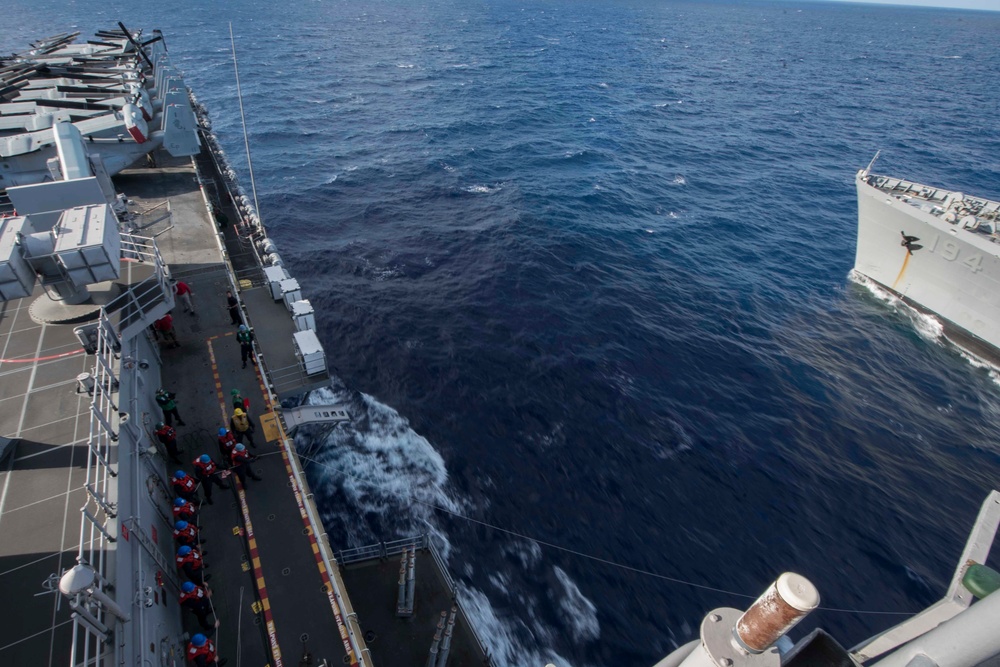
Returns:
(235, 459)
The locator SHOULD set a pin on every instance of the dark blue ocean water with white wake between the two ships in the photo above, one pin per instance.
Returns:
(582, 269)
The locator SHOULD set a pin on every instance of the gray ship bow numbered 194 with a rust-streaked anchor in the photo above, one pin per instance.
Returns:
(936, 249)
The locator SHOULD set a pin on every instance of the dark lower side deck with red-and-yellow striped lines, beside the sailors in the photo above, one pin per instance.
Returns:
(202, 372)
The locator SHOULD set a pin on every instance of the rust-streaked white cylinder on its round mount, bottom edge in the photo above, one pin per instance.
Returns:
(730, 638)
